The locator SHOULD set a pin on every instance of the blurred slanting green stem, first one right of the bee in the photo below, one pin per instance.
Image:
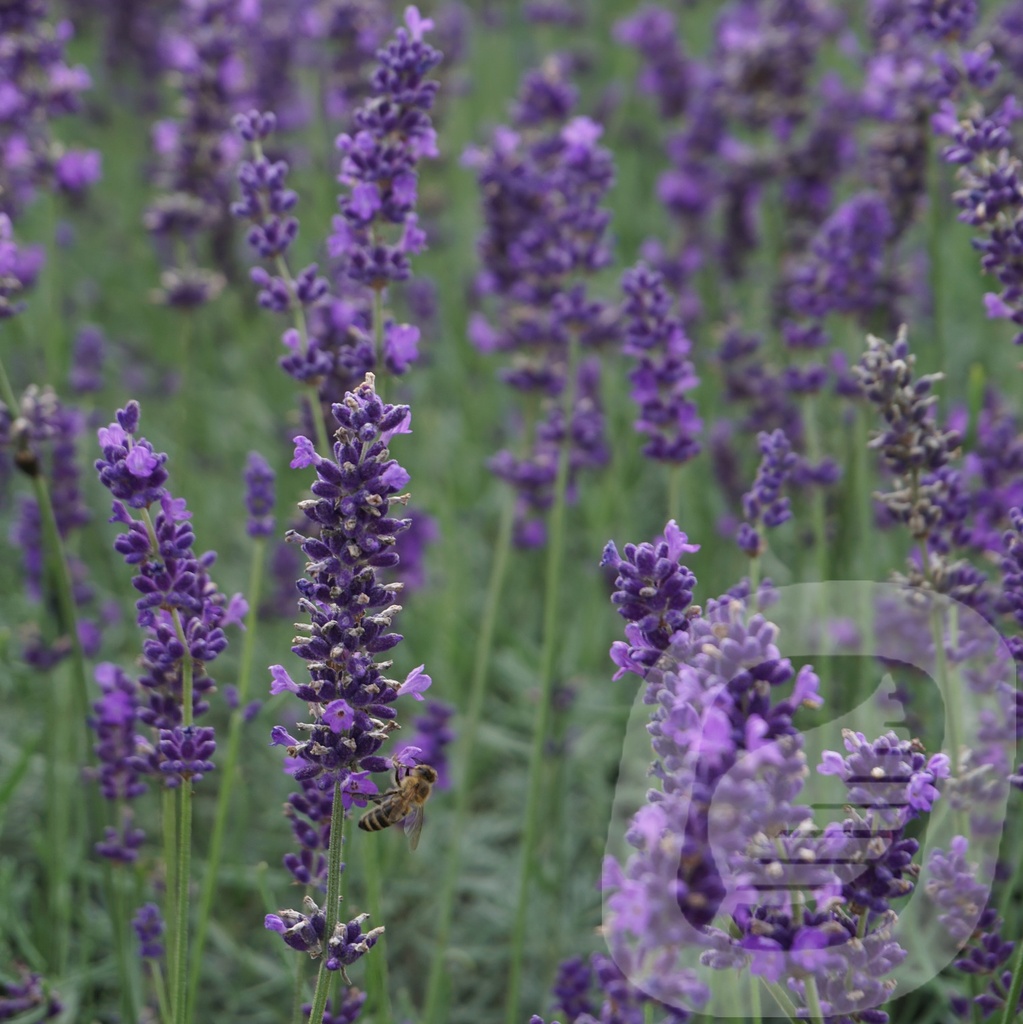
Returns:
(471, 729)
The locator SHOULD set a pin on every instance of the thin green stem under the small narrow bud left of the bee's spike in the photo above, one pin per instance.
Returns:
(231, 774)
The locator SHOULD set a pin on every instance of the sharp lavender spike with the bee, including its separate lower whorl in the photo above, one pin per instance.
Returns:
(349, 696)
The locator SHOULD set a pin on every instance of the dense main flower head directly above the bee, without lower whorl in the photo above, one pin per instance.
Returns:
(351, 611)
